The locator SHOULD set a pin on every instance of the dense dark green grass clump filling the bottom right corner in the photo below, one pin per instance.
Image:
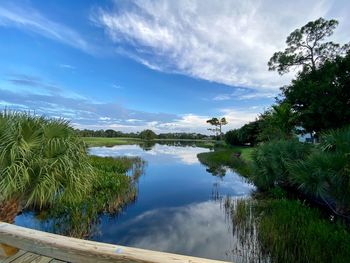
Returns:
(293, 232)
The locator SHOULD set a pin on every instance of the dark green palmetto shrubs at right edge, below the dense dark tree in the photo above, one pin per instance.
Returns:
(325, 173)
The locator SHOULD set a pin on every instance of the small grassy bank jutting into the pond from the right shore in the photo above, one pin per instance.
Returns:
(236, 158)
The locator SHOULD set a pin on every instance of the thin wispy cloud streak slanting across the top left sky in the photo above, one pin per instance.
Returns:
(29, 19)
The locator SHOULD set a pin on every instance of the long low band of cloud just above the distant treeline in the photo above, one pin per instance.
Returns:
(87, 113)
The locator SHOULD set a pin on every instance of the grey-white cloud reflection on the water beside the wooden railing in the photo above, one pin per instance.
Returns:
(198, 229)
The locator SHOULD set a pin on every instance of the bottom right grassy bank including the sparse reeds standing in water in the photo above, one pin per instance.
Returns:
(288, 231)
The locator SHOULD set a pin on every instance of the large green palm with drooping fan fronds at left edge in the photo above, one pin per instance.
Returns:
(41, 160)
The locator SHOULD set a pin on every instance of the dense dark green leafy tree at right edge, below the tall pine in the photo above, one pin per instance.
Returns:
(321, 99)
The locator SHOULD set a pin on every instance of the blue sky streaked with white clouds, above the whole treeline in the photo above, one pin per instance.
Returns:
(161, 65)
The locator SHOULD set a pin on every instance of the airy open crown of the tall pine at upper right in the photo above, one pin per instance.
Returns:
(306, 47)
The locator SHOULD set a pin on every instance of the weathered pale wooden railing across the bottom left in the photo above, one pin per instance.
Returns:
(79, 250)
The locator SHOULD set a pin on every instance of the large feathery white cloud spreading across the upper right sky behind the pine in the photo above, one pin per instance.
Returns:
(228, 41)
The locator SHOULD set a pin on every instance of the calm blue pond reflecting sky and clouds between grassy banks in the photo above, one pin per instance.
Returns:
(179, 205)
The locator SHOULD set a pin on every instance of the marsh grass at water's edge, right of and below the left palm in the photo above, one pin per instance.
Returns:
(112, 190)
